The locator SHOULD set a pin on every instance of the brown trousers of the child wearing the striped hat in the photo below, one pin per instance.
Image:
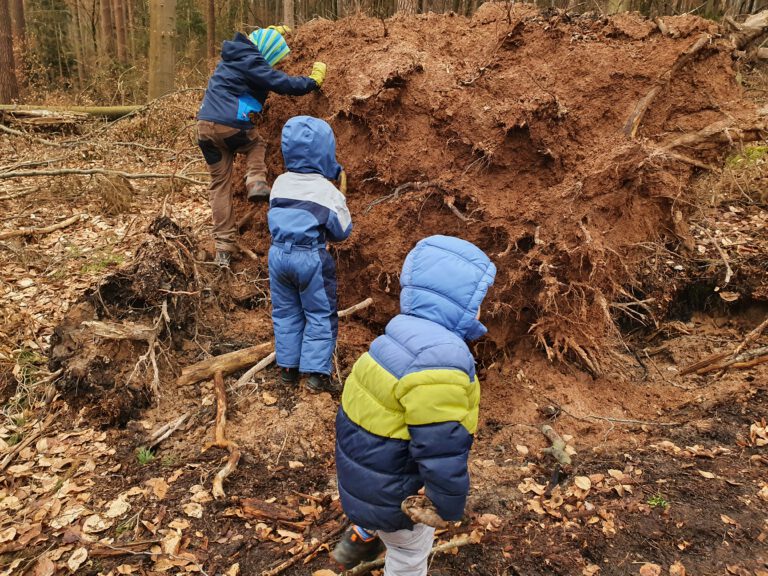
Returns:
(219, 144)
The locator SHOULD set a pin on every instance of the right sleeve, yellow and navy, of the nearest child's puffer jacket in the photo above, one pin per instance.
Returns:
(436, 402)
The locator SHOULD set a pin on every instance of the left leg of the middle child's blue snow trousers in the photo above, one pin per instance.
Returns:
(287, 314)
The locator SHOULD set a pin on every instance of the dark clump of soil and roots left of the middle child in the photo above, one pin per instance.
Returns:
(111, 375)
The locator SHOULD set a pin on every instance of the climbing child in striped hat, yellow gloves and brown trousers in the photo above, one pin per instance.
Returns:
(236, 92)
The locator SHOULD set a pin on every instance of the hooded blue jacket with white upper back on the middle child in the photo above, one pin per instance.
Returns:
(305, 209)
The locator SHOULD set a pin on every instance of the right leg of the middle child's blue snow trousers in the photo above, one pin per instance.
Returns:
(318, 298)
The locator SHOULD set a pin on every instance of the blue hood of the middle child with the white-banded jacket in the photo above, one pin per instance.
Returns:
(309, 147)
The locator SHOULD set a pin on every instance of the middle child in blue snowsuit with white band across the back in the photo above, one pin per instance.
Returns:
(305, 212)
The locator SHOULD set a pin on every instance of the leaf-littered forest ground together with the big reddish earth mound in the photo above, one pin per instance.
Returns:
(630, 269)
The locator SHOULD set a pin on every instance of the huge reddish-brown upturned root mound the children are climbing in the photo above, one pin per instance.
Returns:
(508, 129)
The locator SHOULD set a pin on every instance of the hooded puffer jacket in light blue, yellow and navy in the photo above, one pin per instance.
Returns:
(410, 405)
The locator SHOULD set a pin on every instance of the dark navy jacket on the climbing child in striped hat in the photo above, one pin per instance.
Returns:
(241, 82)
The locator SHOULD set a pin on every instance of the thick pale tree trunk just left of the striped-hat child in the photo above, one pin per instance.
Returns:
(162, 30)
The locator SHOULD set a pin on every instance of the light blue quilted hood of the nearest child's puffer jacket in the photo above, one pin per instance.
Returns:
(445, 279)
